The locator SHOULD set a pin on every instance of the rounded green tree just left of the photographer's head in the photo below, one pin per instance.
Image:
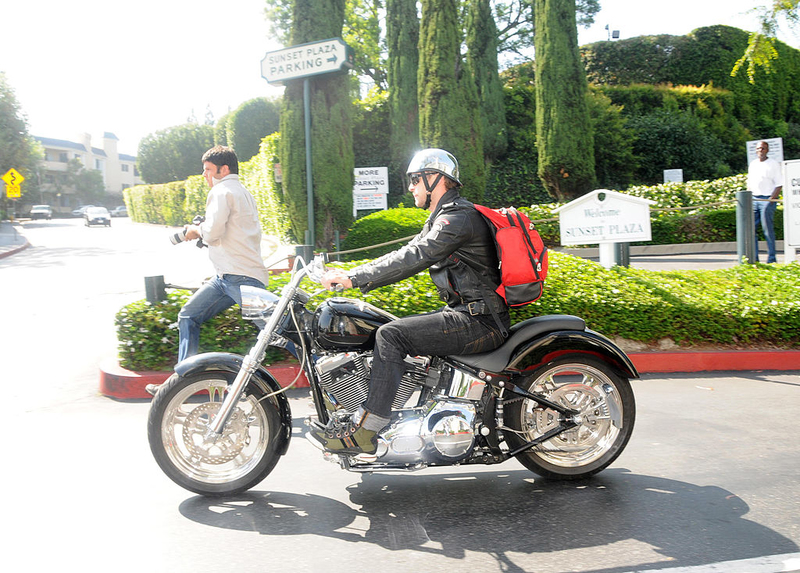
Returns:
(173, 154)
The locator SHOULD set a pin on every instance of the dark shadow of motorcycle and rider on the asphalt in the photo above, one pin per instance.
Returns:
(511, 513)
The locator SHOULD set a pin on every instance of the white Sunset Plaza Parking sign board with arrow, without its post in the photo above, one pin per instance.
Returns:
(305, 60)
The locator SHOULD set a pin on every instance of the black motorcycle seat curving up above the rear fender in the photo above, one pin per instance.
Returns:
(496, 360)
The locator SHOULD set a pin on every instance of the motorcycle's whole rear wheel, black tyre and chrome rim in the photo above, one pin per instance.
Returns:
(607, 413)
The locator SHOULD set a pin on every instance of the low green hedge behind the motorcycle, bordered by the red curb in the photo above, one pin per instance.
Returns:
(747, 304)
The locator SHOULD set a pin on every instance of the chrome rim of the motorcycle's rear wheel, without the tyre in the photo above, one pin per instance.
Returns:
(593, 394)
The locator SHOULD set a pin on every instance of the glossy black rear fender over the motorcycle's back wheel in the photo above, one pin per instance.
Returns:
(548, 347)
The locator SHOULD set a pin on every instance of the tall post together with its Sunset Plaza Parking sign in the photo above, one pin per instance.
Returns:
(304, 61)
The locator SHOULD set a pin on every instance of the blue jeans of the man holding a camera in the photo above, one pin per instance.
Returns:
(210, 299)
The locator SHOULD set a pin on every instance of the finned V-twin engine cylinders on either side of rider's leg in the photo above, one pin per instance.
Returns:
(345, 378)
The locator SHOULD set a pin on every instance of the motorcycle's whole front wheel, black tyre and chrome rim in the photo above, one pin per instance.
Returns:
(178, 424)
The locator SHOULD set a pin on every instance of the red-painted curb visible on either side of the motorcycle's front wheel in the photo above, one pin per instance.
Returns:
(117, 382)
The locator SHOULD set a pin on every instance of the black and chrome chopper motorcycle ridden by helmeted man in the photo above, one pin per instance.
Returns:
(555, 395)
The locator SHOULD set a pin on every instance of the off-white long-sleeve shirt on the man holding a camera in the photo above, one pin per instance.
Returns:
(232, 230)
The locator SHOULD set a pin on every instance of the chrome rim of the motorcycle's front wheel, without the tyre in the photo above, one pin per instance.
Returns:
(232, 455)
